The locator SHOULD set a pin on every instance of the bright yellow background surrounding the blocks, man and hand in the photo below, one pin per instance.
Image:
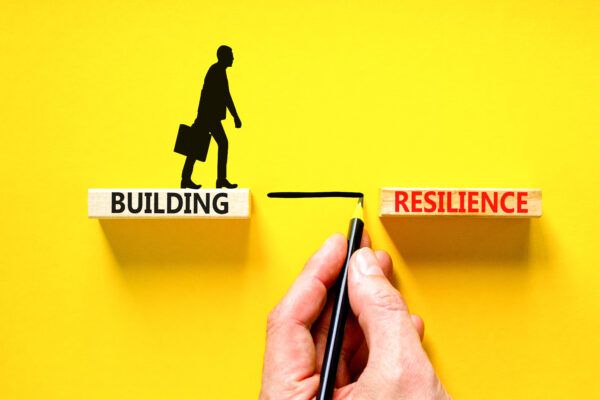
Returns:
(339, 95)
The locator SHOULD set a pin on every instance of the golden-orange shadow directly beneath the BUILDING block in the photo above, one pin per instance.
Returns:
(205, 242)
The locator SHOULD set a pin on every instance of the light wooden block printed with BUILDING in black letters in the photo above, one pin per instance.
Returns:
(168, 203)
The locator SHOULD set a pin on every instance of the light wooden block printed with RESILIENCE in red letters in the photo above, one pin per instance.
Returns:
(471, 202)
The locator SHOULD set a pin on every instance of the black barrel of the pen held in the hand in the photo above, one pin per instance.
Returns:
(341, 307)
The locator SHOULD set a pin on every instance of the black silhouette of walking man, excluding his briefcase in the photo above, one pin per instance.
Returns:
(215, 99)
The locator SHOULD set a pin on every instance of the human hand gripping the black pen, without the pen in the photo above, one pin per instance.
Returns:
(382, 356)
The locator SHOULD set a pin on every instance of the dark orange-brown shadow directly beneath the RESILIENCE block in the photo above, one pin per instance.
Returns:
(464, 240)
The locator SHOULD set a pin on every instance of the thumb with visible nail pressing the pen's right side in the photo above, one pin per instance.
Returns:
(381, 312)
